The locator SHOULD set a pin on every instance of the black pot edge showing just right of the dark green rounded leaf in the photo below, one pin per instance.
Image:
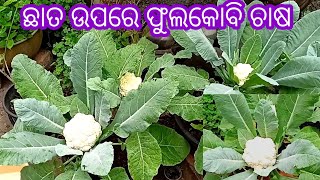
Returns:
(183, 126)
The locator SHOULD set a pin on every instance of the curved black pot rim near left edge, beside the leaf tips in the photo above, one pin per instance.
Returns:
(10, 94)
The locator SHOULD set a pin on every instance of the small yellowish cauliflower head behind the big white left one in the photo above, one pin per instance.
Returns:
(129, 82)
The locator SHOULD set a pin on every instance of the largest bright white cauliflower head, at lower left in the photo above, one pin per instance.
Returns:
(81, 132)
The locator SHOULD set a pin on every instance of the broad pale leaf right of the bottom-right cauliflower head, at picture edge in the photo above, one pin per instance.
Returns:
(298, 155)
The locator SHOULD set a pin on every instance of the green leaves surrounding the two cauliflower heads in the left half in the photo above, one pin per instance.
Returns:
(47, 110)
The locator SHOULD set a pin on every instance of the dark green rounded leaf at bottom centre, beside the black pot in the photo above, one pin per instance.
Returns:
(174, 147)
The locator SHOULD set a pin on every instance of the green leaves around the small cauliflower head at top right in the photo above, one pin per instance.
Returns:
(278, 58)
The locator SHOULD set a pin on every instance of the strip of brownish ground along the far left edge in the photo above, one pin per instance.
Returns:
(5, 124)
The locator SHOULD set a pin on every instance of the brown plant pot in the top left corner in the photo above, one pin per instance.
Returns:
(29, 47)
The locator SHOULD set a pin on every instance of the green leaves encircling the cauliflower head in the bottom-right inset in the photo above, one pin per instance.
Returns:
(275, 116)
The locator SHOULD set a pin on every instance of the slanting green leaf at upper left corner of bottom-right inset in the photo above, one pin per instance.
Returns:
(234, 108)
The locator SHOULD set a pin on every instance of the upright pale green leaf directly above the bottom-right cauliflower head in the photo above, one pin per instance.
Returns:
(266, 118)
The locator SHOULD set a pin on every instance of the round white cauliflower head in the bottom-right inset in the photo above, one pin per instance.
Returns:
(260, 153)
